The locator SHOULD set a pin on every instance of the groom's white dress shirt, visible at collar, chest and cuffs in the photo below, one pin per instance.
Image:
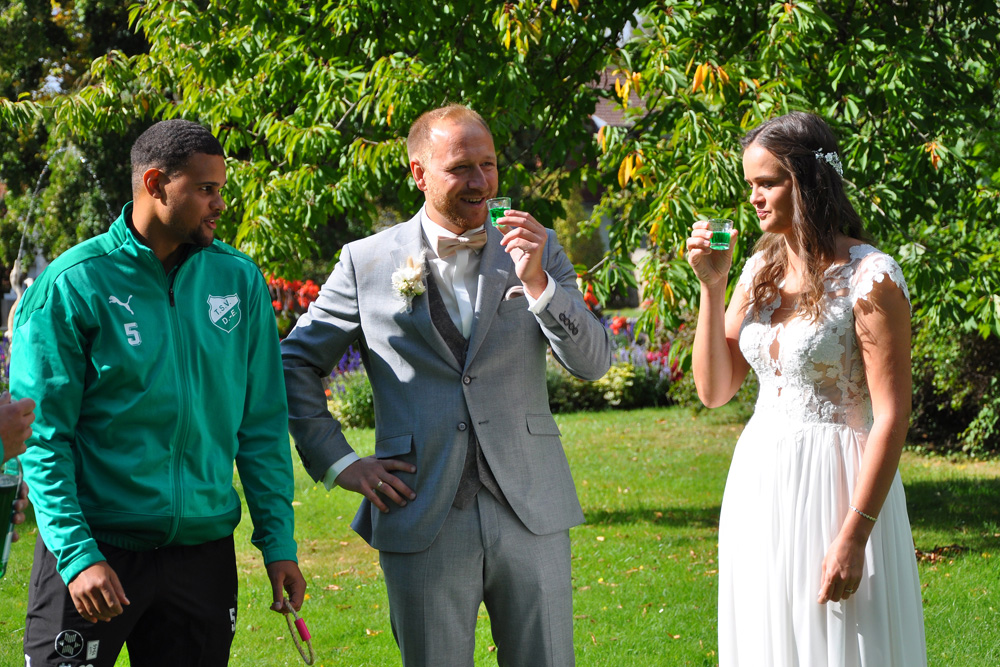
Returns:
(457, 278)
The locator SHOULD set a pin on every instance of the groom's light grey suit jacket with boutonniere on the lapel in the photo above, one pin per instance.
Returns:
(425, 403)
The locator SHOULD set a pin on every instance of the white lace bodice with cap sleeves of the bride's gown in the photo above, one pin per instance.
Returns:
(812, 372)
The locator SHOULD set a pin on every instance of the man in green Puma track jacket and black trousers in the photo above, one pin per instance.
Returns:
(151, 352)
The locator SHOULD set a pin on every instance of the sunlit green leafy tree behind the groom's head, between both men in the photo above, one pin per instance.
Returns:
(312, 101)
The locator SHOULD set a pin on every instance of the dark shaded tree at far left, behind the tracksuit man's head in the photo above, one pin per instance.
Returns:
(47, 53)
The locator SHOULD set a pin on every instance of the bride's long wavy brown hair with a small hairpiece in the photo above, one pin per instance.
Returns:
(821, 207)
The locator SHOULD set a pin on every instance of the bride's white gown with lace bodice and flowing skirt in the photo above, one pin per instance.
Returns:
(788, 491)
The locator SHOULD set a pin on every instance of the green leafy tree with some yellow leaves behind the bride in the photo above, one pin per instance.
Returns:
(909, 87)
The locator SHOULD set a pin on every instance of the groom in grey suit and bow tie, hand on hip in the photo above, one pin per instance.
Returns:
(468, 497)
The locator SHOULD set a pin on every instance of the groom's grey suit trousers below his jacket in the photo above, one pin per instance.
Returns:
(483, 554)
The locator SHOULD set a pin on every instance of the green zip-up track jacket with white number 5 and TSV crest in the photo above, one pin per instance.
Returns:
(148, 387)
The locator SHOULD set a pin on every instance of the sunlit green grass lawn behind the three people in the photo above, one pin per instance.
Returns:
(644, 565)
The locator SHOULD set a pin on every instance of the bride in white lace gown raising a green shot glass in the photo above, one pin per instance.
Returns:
(816, 558)
